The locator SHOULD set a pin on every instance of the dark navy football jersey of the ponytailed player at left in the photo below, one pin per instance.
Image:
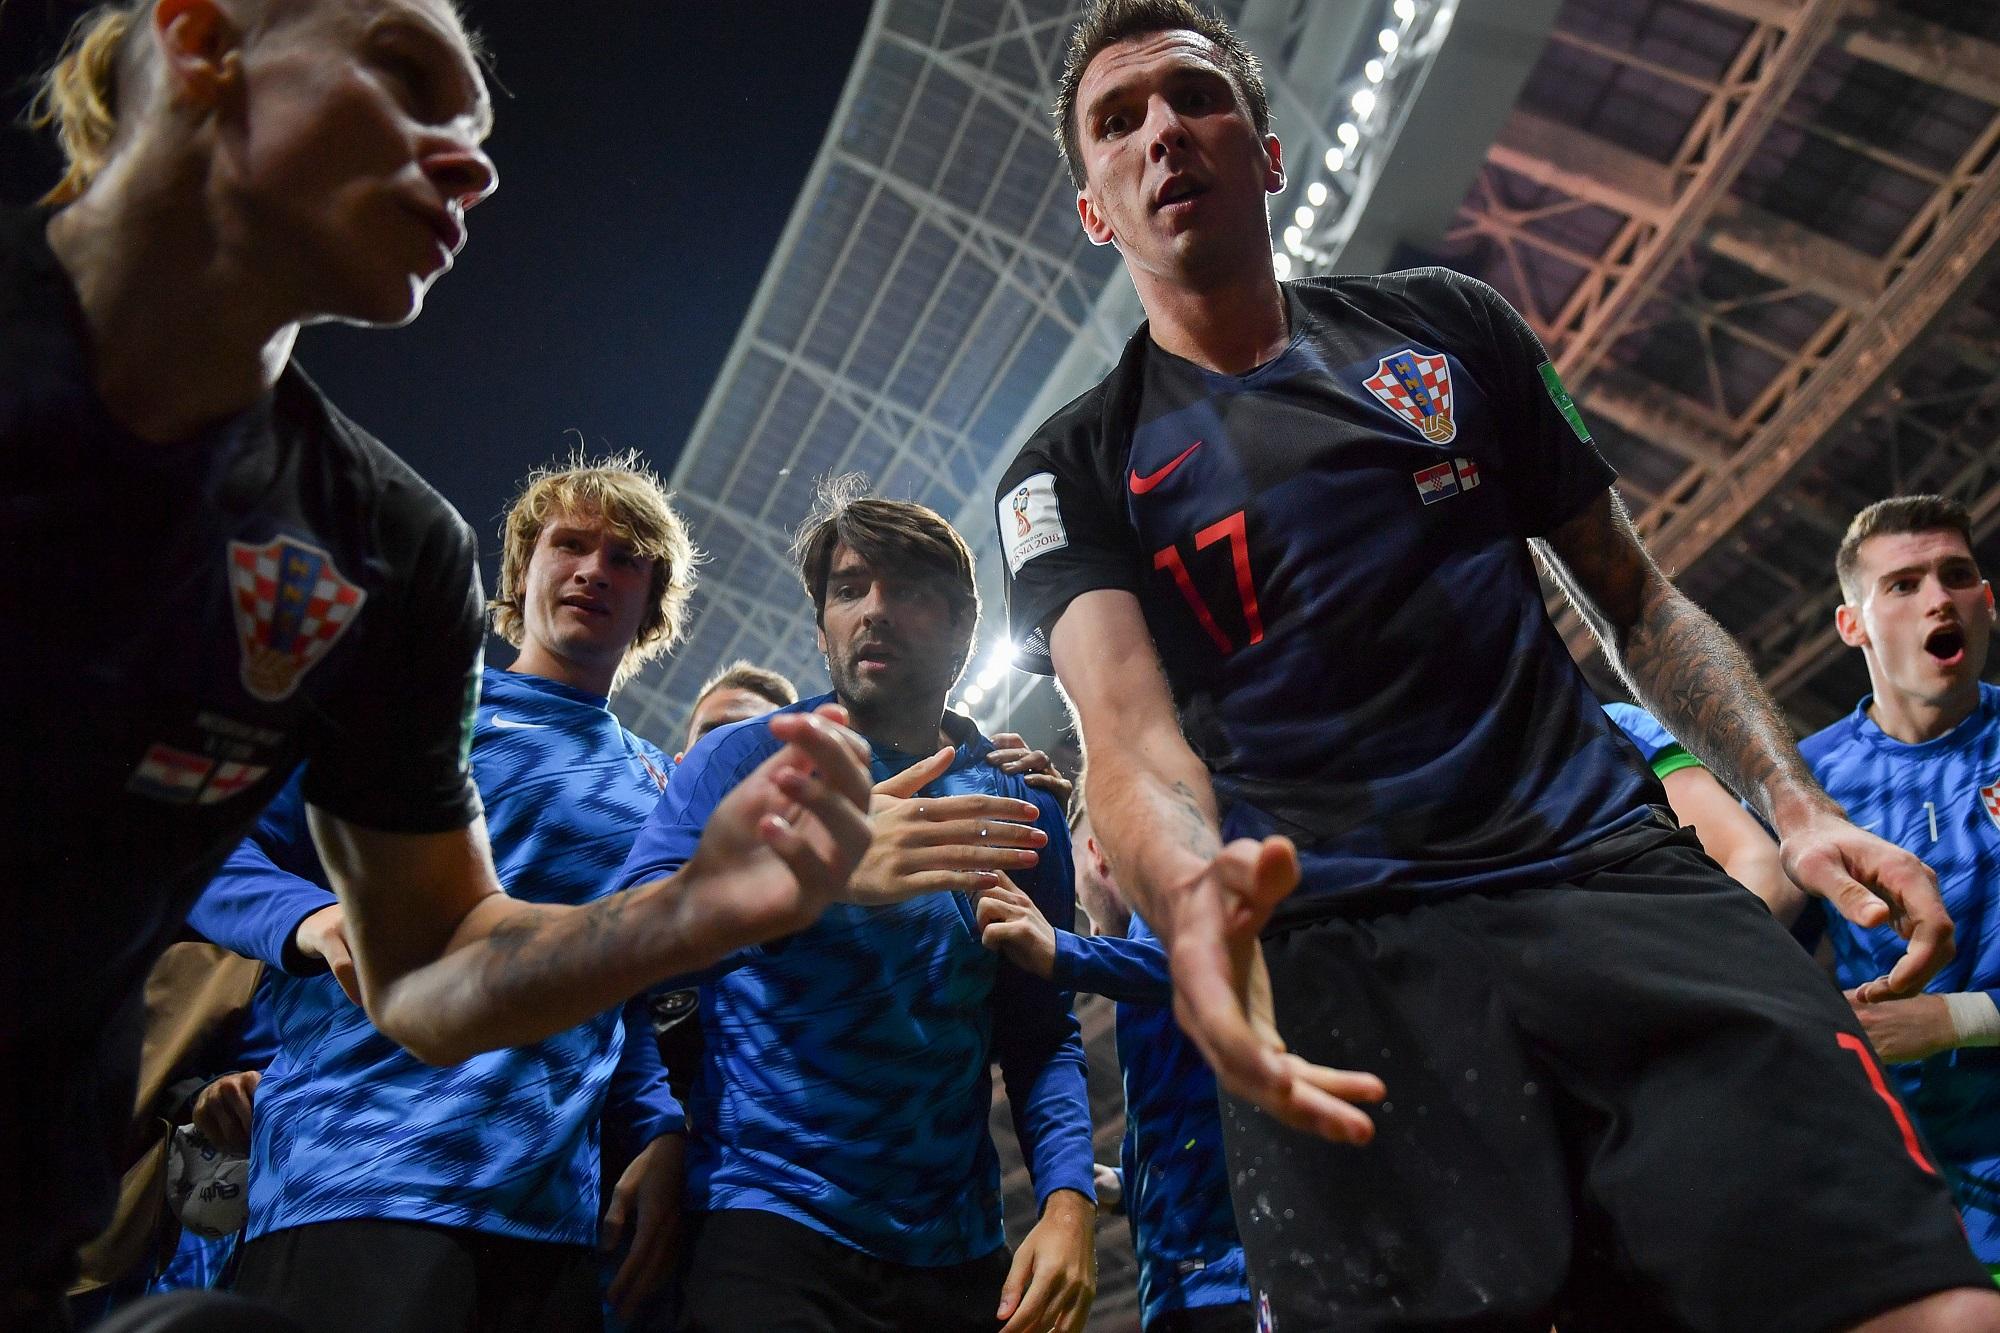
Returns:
(185, 625)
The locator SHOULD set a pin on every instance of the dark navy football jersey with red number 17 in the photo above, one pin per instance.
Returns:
(1333, 559)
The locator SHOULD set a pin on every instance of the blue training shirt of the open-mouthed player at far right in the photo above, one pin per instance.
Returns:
(1939, 800)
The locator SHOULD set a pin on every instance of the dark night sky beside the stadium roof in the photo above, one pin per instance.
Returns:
(649, 157)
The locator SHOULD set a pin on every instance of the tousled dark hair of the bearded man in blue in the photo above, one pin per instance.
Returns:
(891, 535)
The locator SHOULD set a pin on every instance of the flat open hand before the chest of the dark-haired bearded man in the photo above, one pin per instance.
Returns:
(941, 844)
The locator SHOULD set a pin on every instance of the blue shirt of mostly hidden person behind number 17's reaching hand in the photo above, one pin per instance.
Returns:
(1177, 1178)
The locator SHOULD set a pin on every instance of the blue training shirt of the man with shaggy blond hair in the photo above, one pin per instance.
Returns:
(353, 1126)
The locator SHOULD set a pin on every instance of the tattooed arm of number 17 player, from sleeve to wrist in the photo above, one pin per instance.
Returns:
(1681, 663)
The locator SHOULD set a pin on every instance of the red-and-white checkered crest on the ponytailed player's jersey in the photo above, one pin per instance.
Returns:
(291, 607)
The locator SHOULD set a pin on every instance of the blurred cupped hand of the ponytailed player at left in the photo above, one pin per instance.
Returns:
(783, 844)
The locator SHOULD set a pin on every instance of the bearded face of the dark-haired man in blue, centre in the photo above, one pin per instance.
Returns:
(889, 637)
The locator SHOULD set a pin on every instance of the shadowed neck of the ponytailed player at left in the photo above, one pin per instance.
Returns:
(179, 335)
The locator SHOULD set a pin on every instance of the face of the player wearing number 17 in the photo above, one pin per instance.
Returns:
(1173, 165)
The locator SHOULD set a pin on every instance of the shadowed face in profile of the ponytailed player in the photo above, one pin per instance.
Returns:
(357, 155)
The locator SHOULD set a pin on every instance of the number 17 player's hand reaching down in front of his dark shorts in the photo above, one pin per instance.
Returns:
(1223, 996)
